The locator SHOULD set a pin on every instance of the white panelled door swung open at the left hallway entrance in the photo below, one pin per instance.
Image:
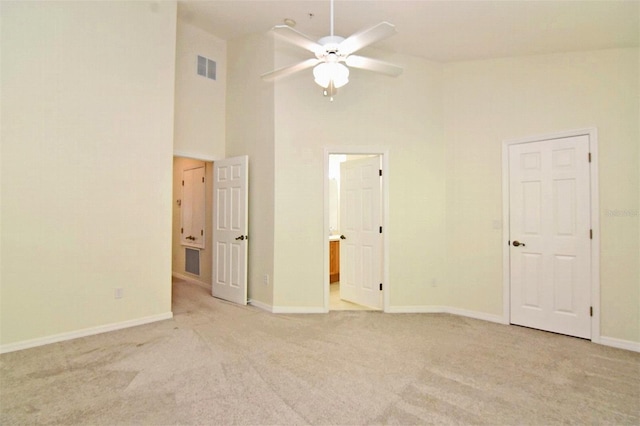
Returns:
(230, 223)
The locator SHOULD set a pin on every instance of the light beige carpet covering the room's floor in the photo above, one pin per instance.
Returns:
(217, 363)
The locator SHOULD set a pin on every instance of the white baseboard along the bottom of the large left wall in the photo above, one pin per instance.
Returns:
(41, 341)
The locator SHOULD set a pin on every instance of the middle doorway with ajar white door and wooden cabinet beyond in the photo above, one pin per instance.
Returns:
(356, 243)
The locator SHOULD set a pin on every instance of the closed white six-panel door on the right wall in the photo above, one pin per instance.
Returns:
(549, 233)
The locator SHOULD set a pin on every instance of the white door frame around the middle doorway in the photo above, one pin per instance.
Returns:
(384, 160)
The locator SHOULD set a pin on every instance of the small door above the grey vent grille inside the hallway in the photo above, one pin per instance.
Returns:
(193, 208)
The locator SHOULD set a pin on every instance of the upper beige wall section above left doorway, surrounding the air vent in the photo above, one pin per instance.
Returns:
(200, 107)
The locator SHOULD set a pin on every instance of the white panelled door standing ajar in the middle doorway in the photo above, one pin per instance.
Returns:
(360, 223)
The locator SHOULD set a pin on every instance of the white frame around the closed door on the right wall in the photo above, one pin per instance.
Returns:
(592, 134)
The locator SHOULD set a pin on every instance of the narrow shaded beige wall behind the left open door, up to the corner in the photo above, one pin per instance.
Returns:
(250, 131)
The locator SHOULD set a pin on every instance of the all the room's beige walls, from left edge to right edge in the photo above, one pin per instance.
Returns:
(87, 148)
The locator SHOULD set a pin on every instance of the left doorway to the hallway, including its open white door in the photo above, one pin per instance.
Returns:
(211, 251)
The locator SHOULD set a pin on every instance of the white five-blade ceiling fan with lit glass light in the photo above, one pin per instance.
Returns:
(334, 54)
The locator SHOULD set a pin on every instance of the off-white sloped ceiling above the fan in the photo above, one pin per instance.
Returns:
(442, 31)
